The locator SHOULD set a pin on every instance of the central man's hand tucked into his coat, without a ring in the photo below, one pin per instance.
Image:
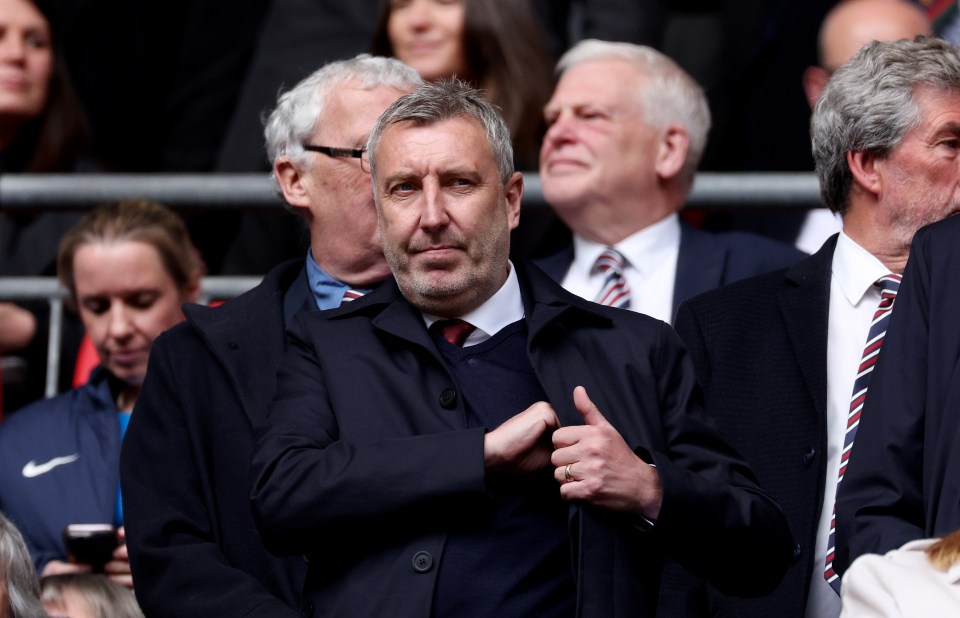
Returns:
(522, 443)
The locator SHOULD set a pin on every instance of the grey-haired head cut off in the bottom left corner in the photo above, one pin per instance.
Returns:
(19, 593)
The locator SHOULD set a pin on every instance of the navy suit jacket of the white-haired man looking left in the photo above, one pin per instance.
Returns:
(706, 261)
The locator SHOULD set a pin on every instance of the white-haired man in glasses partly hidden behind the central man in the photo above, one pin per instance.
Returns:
(194, 548)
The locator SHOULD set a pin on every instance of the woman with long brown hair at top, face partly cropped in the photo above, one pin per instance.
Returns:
(497, 45)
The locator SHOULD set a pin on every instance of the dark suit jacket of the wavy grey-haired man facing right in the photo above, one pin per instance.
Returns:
(760, 350)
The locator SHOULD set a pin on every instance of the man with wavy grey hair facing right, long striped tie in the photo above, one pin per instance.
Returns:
(782, 357)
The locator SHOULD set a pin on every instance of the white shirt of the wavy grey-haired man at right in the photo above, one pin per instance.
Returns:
(853, 301)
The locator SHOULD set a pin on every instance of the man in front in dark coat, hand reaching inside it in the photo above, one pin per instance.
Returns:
(470, 439)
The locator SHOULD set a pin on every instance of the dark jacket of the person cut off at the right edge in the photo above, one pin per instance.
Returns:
(903, 480)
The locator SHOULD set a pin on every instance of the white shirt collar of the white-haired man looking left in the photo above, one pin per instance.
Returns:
(644, 250)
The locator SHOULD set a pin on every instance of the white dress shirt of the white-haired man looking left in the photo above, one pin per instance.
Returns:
(651, 268)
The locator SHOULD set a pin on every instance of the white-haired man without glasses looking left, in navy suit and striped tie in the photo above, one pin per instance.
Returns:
(627, 128)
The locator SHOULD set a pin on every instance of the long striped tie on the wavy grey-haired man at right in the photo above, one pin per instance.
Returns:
(888, 285)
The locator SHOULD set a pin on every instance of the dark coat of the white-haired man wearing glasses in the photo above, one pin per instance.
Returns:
(194, 549)
